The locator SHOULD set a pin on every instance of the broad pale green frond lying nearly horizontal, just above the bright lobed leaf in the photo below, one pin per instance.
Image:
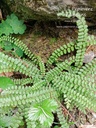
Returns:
(27, 96)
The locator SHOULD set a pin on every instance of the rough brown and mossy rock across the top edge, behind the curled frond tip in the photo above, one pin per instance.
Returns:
(47, 9)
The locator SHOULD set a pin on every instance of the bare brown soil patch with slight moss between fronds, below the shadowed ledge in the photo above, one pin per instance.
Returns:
(43, 43)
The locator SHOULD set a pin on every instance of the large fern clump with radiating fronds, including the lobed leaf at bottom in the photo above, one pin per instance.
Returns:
(70, 79)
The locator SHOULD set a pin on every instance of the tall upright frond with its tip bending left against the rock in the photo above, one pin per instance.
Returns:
(82, 34)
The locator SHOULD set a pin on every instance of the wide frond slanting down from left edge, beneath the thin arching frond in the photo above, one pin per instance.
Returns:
(19, 65)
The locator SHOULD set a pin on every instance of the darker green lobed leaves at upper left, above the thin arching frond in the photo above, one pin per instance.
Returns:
(12, 25)
